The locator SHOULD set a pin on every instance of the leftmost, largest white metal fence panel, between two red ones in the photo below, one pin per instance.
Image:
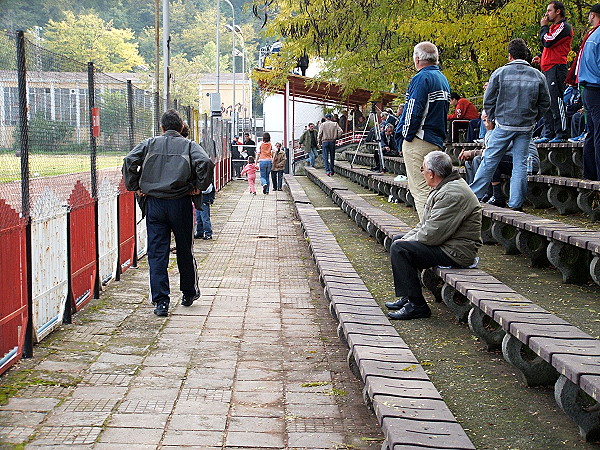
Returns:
(49, 273)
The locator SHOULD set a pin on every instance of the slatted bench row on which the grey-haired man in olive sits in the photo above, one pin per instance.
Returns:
(500, 317)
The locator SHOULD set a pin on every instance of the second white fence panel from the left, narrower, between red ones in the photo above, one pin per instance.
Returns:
(108, 232)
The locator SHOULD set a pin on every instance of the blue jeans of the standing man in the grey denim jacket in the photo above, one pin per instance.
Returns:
(497, 146)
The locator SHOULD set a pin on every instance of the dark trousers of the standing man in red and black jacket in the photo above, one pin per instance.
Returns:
(555, 119)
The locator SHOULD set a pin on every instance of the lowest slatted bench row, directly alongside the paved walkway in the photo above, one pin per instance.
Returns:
(409, 408)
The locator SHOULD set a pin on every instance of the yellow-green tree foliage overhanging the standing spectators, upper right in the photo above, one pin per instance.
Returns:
(367, 43)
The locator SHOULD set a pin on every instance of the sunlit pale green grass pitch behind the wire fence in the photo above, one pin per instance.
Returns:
(48, 165)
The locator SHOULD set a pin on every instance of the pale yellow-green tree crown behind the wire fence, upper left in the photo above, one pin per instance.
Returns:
(89, 38)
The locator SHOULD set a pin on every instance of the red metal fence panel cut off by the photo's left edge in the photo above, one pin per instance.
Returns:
(13, 289)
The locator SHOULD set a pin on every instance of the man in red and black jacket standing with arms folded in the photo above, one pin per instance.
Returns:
(556, 40)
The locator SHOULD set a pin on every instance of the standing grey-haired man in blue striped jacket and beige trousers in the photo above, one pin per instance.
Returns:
(422, 127)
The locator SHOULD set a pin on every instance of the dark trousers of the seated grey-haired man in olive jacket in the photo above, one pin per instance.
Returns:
(408, 257)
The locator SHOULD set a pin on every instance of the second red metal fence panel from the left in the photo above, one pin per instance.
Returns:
(82, 247)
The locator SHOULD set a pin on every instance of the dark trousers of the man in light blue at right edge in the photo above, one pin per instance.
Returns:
(591, 145)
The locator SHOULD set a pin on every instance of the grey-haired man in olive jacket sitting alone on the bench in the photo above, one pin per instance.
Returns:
(449, 234)
